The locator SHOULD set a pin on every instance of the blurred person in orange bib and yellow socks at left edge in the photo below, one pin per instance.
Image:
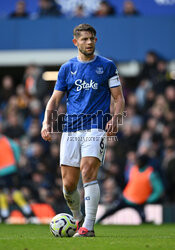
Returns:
(9, 179)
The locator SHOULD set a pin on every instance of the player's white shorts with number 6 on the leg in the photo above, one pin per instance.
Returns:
(75, 145)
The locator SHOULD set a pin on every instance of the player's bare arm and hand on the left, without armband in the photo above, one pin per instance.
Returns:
(52, 105)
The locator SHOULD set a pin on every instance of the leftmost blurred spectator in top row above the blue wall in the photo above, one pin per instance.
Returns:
(20, 10)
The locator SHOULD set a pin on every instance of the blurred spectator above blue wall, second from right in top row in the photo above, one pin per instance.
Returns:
(105, 9)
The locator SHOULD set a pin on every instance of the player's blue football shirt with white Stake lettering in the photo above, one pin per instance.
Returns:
(87, 85)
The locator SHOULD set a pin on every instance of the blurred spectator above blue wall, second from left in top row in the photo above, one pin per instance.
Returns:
(48, 8)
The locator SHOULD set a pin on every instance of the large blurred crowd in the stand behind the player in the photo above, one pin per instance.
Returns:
(149, 128)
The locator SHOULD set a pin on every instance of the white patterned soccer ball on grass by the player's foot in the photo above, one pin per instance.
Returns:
(63, 225)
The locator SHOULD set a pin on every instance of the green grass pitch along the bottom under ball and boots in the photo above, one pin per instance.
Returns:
(38, 237)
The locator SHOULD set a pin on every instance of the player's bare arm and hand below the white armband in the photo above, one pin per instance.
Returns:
(119, 104)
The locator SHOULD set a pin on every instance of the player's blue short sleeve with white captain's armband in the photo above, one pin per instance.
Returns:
(114, 80)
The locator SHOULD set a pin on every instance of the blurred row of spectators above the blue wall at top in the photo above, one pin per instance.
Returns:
(76, 8)
